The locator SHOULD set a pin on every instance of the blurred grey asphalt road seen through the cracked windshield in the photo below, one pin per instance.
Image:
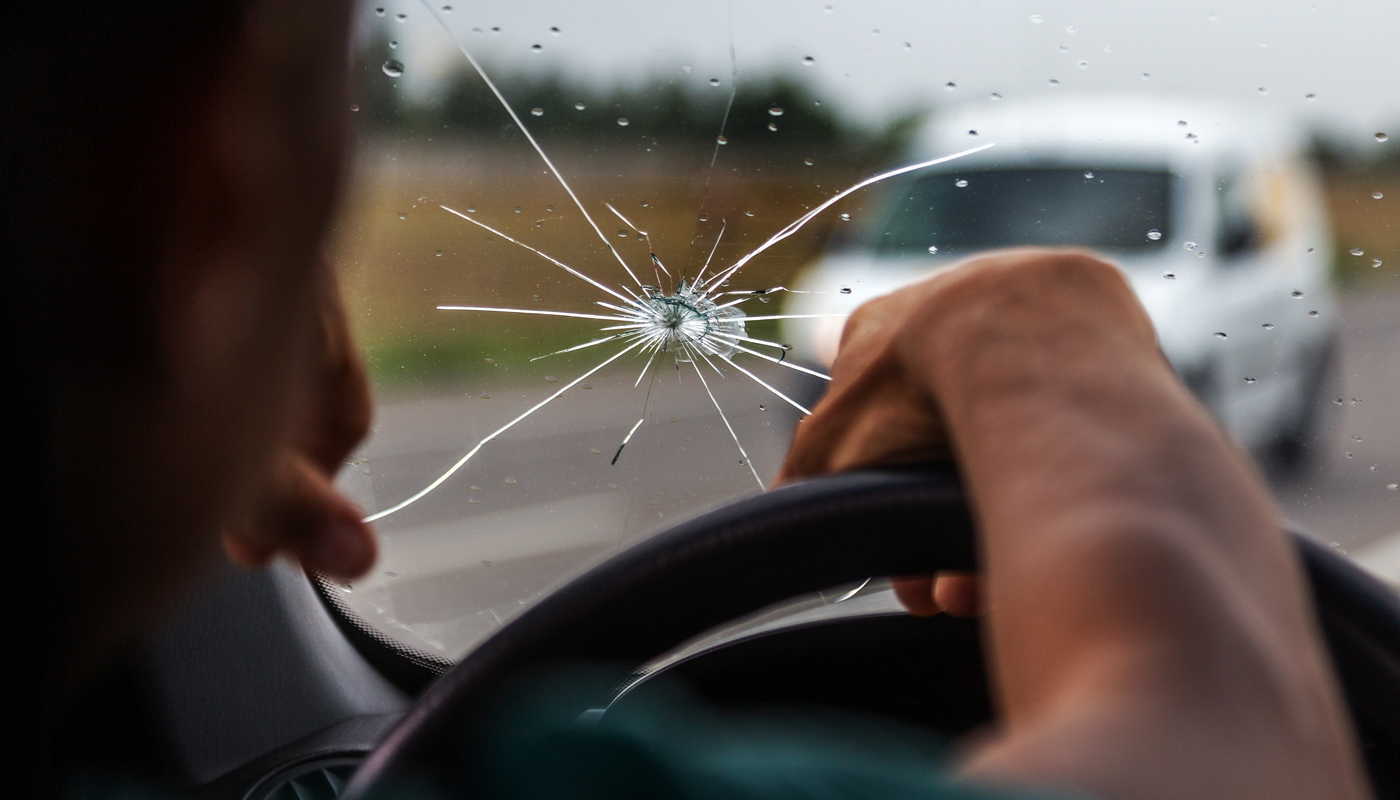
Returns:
(544, 501)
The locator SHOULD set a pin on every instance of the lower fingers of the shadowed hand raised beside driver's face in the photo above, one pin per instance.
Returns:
(306, 516)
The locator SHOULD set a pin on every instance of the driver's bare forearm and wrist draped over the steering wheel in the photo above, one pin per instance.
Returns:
(1133, 564)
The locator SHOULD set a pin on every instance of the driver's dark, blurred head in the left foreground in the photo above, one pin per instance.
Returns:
(171, 177)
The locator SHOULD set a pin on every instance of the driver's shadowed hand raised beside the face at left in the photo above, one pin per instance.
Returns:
(299, 511)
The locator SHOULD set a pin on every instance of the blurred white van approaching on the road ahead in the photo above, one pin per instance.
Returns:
(1216, 216)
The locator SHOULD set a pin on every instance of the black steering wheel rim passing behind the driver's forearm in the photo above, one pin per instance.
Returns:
(803, 539)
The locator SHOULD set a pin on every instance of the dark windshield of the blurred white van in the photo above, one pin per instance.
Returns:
(965, 212)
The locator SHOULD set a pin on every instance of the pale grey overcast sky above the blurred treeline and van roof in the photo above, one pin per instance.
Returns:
(1340, 51)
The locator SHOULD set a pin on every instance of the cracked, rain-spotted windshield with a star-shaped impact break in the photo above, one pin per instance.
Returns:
(600, 256)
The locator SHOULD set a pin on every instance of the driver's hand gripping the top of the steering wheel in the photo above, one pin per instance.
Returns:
(883, 408)
